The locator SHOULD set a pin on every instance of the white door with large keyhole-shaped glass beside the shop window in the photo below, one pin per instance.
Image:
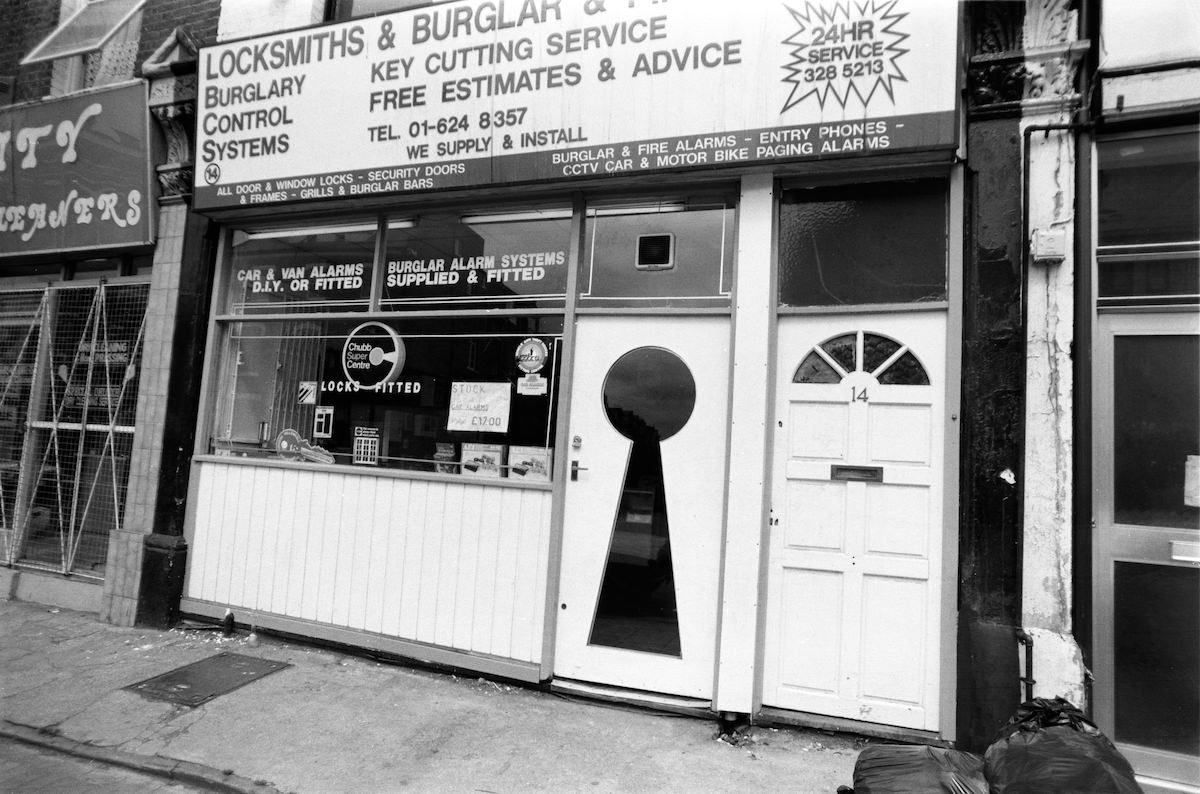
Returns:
(638, 594)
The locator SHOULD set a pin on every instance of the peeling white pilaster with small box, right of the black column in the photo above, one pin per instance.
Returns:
(1051, 100)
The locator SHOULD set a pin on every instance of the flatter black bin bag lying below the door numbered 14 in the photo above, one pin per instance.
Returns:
(903, 769)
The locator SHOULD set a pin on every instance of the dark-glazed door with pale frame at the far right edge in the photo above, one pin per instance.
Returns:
(1147, 555)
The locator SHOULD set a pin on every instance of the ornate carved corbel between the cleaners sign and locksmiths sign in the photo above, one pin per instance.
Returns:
(172, 75)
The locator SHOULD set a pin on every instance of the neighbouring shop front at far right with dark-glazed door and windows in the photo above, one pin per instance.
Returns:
(1145, 456)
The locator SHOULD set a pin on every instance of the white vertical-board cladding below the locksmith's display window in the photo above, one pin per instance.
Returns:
(451, 564)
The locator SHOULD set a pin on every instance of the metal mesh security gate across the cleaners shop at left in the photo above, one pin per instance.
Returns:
(70, 359)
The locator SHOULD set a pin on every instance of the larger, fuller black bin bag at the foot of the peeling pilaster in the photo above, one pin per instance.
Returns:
(1051, 748)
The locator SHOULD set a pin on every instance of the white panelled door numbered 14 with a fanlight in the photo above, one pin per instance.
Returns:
(857, 519)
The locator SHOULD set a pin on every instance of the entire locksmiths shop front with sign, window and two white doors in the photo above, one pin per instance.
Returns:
(627, 368)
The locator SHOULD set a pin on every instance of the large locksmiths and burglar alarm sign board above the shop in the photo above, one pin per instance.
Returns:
(500, 92)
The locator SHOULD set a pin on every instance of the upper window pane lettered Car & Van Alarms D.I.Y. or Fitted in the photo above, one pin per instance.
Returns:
(303, 270)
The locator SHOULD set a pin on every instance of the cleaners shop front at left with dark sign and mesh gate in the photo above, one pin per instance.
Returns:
(76, 225)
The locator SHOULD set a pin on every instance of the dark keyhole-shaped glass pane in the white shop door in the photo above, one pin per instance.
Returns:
(649, 396)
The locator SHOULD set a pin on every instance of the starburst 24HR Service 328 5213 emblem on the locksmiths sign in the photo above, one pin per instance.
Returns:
(845, 50)
